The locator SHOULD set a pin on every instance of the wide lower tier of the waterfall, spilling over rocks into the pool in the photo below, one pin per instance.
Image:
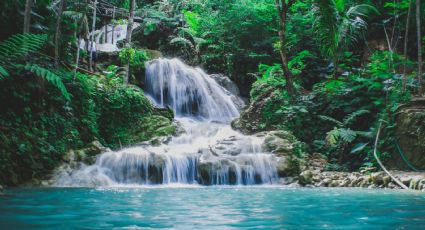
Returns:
(207, 153)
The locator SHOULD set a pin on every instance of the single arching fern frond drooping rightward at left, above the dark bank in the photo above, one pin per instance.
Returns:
(49, 76)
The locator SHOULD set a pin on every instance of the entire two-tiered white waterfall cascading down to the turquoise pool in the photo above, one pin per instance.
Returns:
(209, 152)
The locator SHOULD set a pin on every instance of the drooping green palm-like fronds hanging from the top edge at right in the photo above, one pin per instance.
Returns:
(338, 27)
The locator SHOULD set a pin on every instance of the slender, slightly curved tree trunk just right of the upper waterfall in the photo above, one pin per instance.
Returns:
(282, 8)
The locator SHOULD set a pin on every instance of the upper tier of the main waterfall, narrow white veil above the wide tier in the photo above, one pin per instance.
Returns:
(188, 91)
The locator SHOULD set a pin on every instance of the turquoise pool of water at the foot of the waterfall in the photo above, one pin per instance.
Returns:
(213, 207)
